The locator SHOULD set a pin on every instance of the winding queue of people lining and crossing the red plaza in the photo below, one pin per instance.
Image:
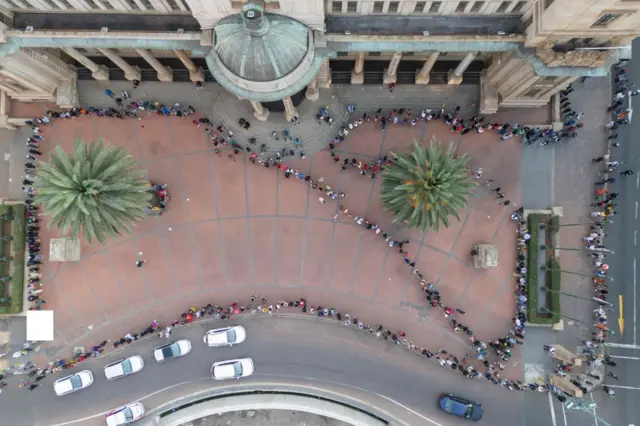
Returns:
(485, 359)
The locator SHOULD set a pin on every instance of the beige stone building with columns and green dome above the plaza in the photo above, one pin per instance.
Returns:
(520, 52)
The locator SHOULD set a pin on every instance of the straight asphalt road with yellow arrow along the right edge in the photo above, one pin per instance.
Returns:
(623, 238)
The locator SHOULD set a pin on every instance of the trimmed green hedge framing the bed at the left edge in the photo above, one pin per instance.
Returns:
(18, 231)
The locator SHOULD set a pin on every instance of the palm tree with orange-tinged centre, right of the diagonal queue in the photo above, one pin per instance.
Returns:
(426, 186)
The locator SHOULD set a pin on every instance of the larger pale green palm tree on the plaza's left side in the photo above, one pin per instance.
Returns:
(97, 190)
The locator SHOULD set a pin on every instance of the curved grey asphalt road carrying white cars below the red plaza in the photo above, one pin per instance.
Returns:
(283, 349)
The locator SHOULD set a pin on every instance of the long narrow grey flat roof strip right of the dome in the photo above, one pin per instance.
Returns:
(436, 25)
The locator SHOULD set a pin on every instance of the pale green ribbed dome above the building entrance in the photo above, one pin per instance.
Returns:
(261, 47)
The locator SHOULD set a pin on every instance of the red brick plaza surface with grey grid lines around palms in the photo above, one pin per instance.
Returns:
(233, 229)
